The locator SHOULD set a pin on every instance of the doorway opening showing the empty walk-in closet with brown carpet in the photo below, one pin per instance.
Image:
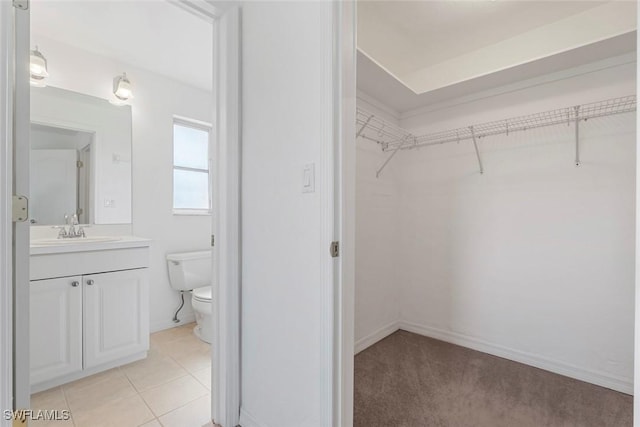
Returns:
(484, 279)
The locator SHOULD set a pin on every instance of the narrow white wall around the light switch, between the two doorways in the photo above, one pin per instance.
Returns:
(287, 303)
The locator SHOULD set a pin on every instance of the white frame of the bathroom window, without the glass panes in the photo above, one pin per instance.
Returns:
(203, 126)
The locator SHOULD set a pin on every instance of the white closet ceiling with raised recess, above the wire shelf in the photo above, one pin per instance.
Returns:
(412, 53)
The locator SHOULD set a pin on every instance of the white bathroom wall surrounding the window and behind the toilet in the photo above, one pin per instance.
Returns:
(156, 100)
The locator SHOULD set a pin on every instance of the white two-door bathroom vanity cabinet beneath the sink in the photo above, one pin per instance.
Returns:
(88, 309)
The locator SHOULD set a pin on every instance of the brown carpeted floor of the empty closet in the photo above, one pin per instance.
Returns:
(412, 381)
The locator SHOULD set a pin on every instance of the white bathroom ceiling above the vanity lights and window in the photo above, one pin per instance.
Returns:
(156, 36)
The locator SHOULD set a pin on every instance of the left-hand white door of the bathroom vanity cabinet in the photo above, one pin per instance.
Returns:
(56, 327)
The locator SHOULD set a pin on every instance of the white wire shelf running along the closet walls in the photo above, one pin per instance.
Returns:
(392, 137)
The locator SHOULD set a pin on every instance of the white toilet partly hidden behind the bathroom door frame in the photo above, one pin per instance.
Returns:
(191, 272)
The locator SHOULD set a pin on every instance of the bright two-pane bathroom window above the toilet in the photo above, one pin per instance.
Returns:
(191, 192)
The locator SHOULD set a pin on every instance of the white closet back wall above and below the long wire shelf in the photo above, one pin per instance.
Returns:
(534, 260)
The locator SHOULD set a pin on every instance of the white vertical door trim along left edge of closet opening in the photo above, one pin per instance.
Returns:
(345, 210)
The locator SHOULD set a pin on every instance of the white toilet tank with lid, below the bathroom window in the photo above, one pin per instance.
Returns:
(189, 270)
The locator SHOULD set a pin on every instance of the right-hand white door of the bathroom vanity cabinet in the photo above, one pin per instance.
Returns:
(116, 315)
